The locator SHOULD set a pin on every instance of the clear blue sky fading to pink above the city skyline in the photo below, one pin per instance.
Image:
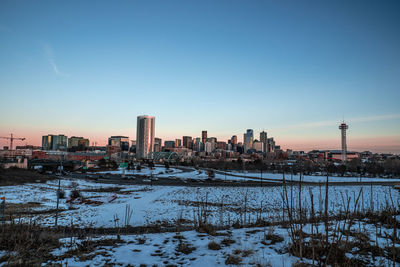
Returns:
(295, 69)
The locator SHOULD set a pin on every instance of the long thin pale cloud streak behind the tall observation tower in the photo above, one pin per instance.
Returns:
(349, 120)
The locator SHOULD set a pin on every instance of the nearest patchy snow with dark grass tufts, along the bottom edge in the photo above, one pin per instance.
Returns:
(267, 246)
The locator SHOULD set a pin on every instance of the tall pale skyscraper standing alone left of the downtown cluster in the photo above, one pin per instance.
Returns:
(145, 136)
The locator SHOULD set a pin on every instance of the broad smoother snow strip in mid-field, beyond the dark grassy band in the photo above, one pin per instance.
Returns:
(155, 204)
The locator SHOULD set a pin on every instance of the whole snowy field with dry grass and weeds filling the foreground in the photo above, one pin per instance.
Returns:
(112, 223)
